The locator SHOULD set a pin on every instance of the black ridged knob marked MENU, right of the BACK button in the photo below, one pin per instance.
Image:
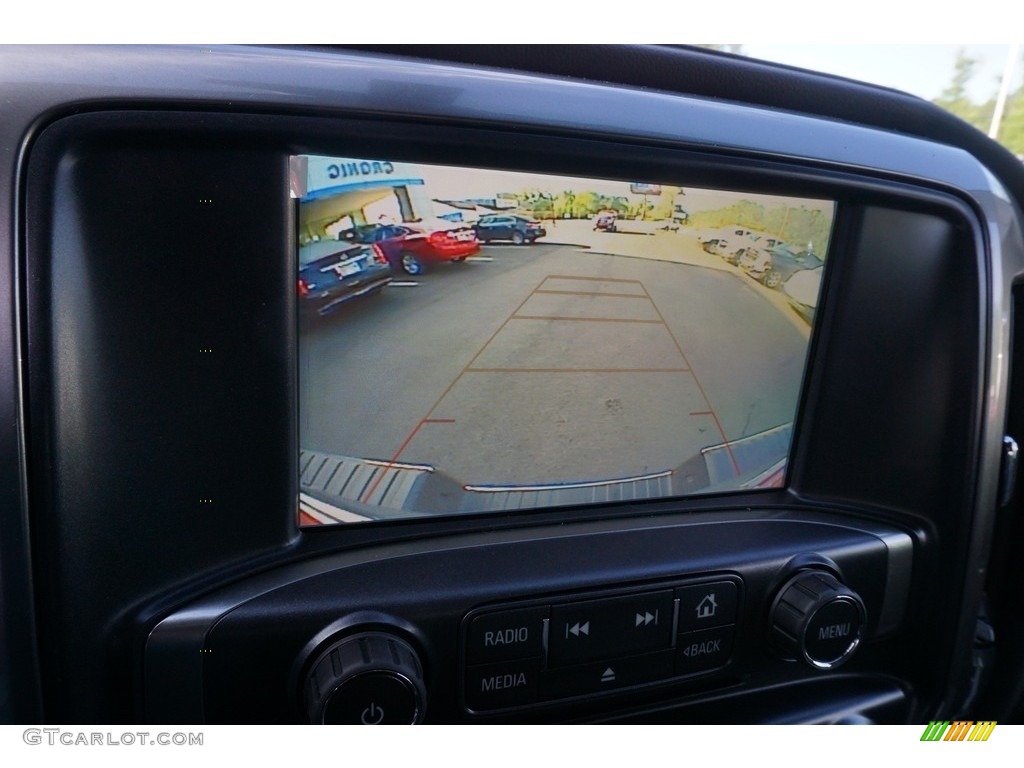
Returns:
(818, 620)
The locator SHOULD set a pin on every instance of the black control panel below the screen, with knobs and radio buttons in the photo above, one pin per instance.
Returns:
(463, 630)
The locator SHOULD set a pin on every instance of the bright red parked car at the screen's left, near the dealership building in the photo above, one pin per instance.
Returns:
(411, 249)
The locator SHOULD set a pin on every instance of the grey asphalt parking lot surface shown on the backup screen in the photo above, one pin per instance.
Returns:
(586, 357)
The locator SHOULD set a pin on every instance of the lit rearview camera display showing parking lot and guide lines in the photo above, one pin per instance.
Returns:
(475, 340)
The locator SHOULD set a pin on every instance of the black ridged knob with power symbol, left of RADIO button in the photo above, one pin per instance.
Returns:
(372, 678)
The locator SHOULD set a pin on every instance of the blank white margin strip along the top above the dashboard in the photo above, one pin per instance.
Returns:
(783, 23)
